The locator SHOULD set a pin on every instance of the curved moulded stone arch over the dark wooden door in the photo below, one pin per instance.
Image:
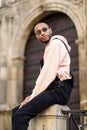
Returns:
(30, 19)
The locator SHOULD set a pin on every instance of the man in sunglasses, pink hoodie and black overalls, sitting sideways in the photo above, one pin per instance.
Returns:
(54, 83)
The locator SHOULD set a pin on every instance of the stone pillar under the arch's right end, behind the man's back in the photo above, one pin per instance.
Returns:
(82, 73)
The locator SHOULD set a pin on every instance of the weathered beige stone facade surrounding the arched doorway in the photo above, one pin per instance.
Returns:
(17, 18)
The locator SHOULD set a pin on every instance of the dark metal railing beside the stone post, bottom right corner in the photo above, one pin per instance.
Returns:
(76, 119)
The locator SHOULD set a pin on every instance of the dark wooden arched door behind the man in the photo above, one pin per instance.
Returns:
(61, 25)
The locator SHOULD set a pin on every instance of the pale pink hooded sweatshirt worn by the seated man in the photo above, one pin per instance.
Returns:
(56, 63)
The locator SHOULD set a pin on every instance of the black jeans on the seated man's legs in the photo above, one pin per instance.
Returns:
(22, 116)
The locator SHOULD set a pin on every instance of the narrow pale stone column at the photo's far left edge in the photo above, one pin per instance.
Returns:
(3, 61)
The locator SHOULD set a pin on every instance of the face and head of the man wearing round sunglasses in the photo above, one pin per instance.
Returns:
(43, 32)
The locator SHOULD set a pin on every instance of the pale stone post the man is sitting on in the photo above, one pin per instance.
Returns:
(50, 119)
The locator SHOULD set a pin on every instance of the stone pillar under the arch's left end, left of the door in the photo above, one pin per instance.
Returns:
(15, 82)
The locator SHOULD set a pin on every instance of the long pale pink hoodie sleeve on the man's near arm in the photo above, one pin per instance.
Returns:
(48, 71)
